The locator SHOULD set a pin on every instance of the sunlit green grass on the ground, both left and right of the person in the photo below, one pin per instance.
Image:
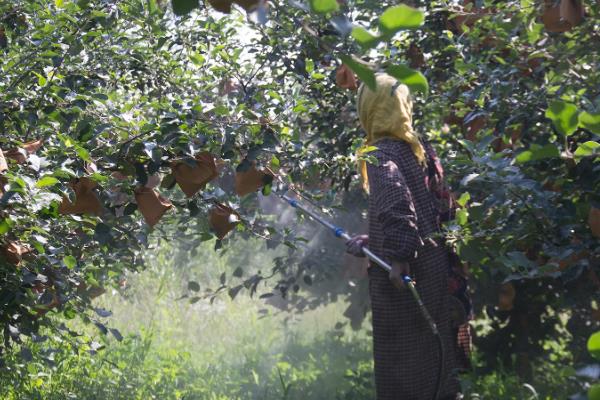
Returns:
(231, 349)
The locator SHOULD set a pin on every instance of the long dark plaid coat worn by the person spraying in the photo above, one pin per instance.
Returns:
(403, 214)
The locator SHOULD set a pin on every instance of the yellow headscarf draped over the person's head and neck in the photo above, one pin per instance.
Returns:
(386, 113)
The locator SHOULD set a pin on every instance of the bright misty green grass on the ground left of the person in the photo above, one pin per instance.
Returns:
(221, 352)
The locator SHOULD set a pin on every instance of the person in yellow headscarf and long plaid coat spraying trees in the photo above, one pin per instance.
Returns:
(406, 207)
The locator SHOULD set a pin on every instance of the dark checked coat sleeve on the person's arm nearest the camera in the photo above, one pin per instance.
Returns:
(394, 208)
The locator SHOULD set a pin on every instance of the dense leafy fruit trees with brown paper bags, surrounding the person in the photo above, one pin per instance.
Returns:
(118, 103)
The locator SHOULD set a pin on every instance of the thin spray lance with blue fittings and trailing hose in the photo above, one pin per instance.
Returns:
(408, 281)
